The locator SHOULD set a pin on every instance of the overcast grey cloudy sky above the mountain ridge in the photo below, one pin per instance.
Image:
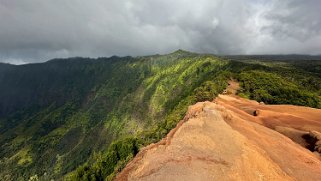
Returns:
(39, 30)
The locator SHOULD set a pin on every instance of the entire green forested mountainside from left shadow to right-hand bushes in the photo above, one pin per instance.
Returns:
(83, 118)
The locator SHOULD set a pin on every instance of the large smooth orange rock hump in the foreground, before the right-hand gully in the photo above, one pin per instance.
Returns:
(214, 143)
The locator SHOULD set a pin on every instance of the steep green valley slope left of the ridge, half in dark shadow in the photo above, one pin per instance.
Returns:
(56, 115)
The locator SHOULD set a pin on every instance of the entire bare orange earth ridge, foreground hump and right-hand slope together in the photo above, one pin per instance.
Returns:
(235, 139)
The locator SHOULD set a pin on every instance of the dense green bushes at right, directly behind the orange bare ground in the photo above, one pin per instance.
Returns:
(273, 89)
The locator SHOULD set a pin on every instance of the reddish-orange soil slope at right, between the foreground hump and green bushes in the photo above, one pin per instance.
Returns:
(292, 121)
